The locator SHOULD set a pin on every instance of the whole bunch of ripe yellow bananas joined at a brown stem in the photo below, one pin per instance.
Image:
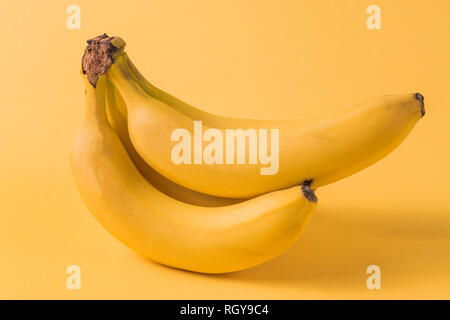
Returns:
(211, 218)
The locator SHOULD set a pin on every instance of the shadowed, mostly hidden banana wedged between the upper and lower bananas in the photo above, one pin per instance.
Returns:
(116, 112)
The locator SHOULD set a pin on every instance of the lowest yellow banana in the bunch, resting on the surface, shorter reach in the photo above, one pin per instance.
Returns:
(168, 231)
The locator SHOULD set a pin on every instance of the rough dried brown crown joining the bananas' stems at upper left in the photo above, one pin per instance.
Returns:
(99, 56)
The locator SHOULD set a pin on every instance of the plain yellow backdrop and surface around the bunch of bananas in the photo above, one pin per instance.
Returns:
(263, 59)
